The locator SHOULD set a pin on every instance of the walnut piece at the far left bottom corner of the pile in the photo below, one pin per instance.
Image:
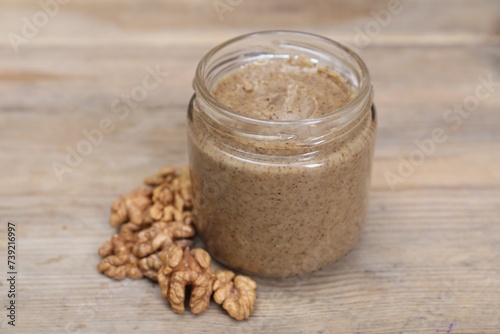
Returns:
(118, 261)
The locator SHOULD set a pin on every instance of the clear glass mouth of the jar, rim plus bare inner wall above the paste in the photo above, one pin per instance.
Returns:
(285, 44)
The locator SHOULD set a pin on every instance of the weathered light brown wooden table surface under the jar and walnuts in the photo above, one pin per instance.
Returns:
(429, 258)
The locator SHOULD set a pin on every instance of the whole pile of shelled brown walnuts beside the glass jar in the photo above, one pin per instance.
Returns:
(155, 231)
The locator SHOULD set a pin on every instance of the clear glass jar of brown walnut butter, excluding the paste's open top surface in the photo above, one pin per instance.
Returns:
(280, 198)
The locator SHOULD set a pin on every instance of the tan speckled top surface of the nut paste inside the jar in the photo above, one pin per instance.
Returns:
(282, 90)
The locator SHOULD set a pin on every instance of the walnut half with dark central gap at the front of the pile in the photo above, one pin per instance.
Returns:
(183, 268)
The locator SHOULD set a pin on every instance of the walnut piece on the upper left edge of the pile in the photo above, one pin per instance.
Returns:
(133, 207)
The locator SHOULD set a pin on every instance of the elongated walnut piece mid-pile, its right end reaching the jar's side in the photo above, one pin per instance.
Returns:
(159, 236)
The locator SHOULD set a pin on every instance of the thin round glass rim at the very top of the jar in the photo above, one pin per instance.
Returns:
(201, 89)
